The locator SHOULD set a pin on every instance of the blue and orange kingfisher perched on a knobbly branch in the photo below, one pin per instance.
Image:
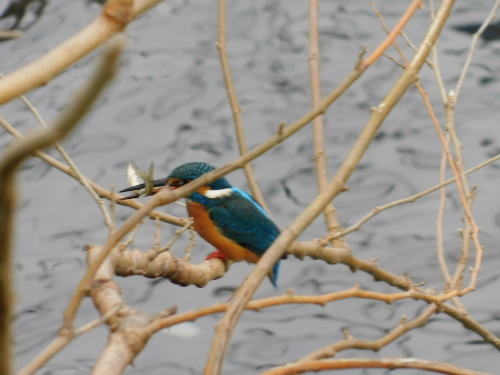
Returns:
(226, 217)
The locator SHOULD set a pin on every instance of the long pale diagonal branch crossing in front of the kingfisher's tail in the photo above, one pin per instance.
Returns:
(275, 252)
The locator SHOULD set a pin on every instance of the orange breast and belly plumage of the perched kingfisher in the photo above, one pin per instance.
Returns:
(207, 229)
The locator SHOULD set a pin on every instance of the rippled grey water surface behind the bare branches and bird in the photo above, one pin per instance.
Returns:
(168, 105)
